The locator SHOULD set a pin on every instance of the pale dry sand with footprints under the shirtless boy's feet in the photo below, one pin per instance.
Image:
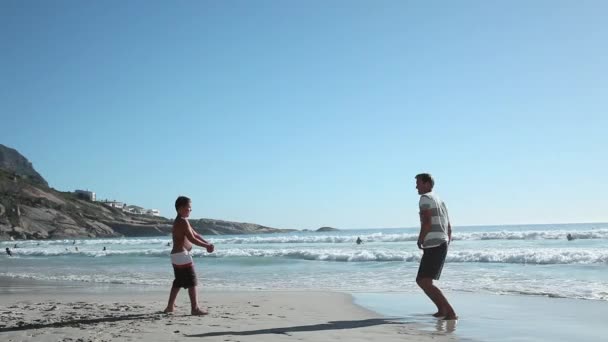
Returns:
(80, 314)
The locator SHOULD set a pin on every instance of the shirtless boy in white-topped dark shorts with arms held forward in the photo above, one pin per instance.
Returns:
(183, 267)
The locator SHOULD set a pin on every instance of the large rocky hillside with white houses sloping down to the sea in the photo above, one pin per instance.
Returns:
(30, 209)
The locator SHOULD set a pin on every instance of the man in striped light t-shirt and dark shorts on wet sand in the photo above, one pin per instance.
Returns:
(435, 235)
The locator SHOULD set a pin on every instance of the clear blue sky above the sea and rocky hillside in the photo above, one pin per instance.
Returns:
(302, 114)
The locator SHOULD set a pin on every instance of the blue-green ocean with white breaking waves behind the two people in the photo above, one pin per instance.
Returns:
(523, 260)
